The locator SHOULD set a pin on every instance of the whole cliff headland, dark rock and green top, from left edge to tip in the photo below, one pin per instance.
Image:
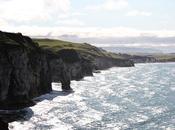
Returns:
(27, 68)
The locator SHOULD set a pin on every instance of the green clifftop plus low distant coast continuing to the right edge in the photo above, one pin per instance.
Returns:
(89, 51)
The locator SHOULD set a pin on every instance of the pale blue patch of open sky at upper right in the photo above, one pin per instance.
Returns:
(159, 14)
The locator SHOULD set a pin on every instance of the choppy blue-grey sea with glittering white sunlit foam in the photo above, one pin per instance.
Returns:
(139, 98)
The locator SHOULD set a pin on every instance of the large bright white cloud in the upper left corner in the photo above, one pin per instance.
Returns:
(32, 10)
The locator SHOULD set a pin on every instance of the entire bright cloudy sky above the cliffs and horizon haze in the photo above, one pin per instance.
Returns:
(89, 18)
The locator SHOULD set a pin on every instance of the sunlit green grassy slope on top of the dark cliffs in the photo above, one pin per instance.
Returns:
(83, 48)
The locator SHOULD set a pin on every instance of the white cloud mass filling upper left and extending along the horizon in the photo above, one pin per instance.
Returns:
(58, 17)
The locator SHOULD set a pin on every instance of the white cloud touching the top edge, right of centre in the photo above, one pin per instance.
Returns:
(109, 5)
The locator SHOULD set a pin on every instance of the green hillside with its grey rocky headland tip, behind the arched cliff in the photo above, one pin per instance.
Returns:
(86, 51)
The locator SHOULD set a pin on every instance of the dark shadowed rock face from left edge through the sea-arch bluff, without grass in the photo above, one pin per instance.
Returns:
(27, 71)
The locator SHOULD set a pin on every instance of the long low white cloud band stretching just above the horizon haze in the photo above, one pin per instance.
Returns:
(87, 31)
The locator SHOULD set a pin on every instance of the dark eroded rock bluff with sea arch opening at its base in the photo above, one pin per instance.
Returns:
(69, 66)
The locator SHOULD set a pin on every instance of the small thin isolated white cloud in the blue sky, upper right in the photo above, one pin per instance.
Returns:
(138, 13)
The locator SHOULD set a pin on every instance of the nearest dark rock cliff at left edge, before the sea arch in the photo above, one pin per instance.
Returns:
(24, 71)
